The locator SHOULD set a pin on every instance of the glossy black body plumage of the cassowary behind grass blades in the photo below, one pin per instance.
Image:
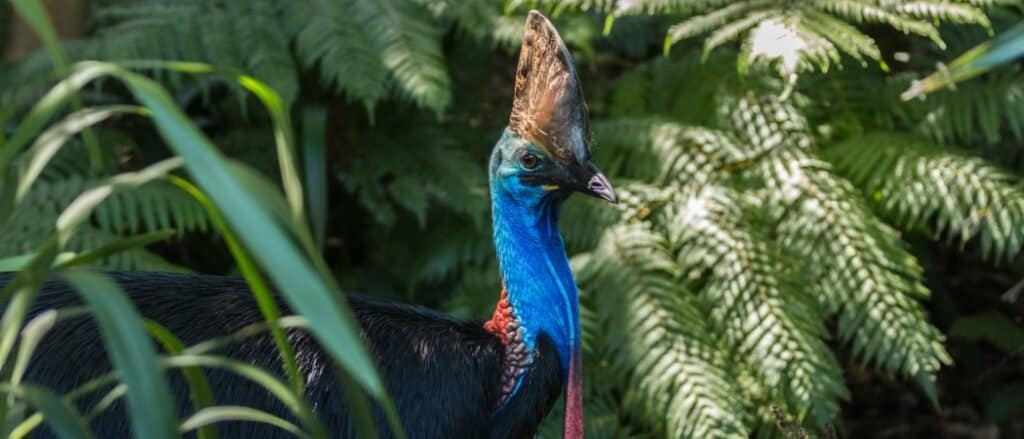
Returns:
(428, 360)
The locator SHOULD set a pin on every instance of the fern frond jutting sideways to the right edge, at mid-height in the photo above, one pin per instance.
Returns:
(920, 185)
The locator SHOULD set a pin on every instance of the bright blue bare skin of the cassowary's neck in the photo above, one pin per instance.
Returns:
(532, 255)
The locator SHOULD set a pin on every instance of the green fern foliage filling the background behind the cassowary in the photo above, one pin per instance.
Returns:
(769, 239)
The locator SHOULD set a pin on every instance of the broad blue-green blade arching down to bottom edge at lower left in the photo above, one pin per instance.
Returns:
(132, 354)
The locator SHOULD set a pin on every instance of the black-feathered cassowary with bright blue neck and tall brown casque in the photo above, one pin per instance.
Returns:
(448, 378)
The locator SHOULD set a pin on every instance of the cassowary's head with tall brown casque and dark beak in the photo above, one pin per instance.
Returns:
(545, 153)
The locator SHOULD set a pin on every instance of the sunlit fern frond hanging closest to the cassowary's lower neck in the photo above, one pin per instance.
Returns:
(678, 377)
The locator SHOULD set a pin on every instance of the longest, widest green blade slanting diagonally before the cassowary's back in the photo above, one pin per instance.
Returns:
(306, 288)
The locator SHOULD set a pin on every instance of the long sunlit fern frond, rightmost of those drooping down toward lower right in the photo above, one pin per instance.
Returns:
(864, 272)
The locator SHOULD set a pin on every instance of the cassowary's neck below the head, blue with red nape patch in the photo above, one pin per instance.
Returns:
(539, 296)
